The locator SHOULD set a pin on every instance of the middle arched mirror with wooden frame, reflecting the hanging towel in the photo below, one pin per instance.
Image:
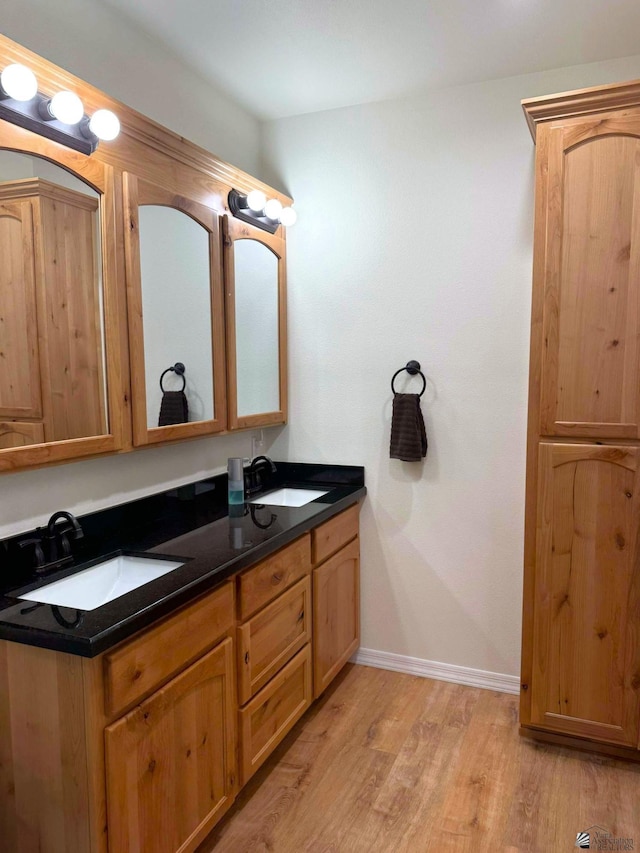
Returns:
(175, 315)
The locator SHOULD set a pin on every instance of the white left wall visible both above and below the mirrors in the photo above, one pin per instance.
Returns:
(93, 42)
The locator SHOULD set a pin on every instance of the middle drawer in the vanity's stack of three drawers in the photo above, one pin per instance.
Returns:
(272, 637)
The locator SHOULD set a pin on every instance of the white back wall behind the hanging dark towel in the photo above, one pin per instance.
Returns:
(414, 241)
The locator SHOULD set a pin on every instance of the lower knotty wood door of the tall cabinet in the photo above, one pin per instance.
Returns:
(586, 663)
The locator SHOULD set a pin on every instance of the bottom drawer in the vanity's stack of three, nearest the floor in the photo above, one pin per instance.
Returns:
(274, 711)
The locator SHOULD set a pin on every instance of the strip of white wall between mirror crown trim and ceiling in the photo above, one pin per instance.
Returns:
(90, 39)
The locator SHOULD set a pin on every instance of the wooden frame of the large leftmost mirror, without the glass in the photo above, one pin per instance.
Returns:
(100, 176)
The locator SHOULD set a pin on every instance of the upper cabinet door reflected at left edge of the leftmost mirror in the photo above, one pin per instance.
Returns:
(19, 377)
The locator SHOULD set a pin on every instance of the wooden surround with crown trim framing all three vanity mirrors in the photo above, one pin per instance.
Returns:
(158, 155)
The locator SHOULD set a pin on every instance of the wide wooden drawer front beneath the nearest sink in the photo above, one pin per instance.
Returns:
(139, 665)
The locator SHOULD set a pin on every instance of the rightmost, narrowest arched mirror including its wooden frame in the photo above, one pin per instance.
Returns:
(256, 325)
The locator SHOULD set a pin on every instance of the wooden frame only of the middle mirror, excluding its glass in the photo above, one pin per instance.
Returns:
(137, 193)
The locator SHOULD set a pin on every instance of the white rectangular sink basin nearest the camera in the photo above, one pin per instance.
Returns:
(95, 586)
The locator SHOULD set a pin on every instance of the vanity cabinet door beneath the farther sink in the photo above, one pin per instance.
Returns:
(336, 614)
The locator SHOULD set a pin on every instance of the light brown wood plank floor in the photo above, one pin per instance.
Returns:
(400, 764)
